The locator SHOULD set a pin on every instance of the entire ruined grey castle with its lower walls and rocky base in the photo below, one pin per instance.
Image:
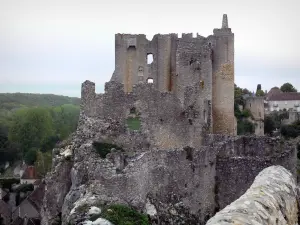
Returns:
(168, 165)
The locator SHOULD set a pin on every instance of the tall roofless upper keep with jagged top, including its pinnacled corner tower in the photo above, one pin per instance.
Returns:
(205, 64)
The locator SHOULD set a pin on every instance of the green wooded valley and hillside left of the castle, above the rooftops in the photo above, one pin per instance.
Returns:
(32, 124)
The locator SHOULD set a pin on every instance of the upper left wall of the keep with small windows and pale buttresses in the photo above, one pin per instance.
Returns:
(131, 67)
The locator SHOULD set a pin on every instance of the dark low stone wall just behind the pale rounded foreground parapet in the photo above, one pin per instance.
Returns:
(242, 158)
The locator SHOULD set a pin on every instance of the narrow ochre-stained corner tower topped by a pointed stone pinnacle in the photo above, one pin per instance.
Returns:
(223, 80)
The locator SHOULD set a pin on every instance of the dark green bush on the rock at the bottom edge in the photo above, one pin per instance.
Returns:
(123, 215)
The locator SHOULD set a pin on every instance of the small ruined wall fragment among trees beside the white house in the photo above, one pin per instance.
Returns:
(256, 107)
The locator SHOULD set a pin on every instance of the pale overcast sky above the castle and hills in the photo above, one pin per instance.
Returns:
(52, 46)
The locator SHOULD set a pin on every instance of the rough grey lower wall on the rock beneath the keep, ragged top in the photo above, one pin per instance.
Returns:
(178, 184)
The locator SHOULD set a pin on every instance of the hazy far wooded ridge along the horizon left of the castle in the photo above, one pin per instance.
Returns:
(9, 102)
